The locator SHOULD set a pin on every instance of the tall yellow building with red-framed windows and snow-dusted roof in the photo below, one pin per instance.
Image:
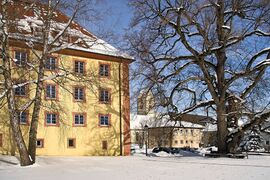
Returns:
(85, 111)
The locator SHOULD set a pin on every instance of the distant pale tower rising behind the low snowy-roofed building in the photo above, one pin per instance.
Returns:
(145, 103)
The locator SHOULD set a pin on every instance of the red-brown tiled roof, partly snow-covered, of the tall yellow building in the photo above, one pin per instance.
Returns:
(29, 26)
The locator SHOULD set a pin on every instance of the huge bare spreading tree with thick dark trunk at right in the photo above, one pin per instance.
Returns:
(205, 55)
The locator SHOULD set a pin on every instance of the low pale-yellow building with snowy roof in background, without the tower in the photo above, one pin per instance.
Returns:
(162, 132)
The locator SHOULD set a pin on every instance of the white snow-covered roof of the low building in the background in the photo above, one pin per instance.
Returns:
(153, 120)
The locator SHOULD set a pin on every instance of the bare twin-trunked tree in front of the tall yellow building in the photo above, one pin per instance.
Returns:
(43, 35)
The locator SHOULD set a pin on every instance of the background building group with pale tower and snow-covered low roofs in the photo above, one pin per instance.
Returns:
(162, 132)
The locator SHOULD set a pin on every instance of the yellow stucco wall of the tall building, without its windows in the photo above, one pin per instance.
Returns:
(88, 139)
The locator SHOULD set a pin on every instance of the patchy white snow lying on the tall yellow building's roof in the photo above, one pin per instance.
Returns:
(34, 24)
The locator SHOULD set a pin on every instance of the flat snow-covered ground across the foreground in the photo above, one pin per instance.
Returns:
(137, 168)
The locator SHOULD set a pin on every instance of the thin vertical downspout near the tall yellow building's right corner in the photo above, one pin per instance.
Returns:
(120, 108)
